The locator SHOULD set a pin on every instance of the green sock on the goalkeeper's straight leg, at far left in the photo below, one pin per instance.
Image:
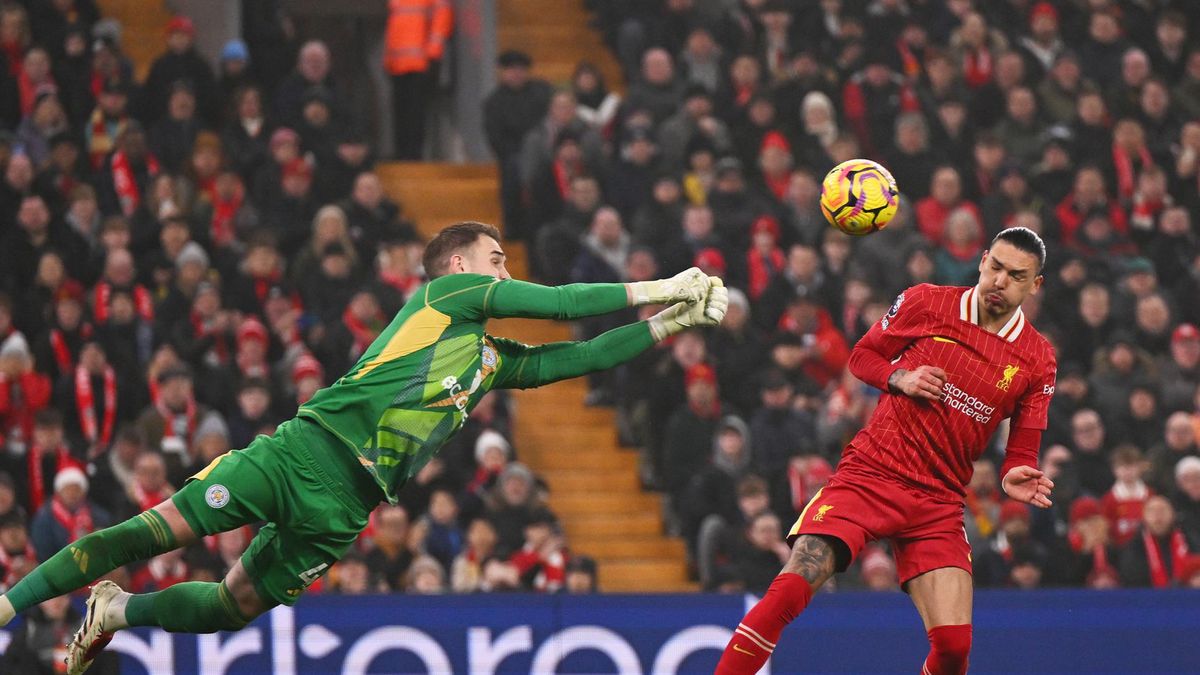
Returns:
(91, 558)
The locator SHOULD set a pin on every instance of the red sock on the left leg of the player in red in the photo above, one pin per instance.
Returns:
(755, 638)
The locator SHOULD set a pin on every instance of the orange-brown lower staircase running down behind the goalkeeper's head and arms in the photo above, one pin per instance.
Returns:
(593, 481)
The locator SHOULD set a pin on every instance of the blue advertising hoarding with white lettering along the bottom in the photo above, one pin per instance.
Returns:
(1015, 632)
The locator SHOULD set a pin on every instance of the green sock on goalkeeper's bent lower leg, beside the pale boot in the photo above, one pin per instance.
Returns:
(193, 607)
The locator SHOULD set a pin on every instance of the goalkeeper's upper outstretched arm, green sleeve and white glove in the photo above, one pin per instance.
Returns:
(513, 298)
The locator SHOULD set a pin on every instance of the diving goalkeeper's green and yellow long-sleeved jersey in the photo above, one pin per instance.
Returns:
(416, 385)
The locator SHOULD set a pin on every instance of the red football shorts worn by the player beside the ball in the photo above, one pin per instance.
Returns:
(859, 507)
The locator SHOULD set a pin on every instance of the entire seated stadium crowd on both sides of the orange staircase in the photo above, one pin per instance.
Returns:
(187, 259)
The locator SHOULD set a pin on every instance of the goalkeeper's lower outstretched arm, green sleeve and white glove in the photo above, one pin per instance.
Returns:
(527, 367)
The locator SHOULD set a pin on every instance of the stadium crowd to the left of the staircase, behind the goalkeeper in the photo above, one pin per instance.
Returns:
(187, 259)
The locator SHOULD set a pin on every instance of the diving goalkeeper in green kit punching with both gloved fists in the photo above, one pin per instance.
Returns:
(357, 443)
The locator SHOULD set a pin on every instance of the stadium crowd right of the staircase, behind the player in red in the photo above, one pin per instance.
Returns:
(1077, 120)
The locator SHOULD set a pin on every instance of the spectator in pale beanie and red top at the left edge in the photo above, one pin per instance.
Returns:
(23, 392)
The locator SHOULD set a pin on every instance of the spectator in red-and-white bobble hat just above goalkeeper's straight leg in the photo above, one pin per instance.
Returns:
(68, 516)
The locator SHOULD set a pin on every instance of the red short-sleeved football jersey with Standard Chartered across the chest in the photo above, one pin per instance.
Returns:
(991, 377)
